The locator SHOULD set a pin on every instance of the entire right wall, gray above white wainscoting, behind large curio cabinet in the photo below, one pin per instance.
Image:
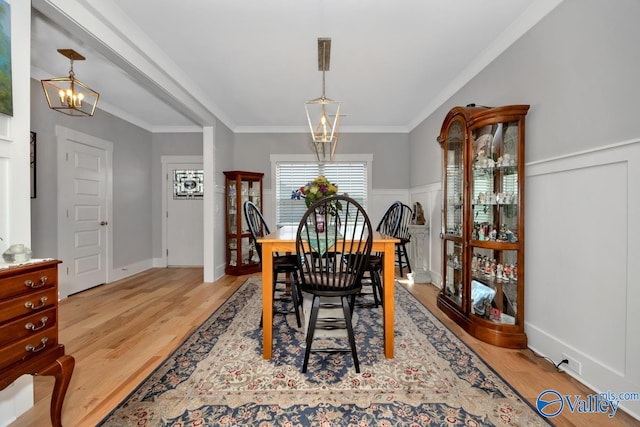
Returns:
(578, 69)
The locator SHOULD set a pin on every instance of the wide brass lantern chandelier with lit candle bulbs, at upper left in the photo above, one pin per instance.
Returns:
(69, 95)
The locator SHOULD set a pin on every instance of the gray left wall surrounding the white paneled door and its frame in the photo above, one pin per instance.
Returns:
(131, 180)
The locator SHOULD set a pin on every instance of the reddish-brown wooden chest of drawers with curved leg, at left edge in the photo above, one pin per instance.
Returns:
(29, 329)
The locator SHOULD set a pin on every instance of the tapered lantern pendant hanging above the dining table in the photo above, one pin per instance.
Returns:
(324, 130)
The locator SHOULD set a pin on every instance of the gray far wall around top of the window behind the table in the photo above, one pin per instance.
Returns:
(390, 154)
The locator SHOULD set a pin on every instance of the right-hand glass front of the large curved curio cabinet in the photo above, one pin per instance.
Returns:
(495, 218)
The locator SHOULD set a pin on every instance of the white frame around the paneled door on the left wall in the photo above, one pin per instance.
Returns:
(62, 135)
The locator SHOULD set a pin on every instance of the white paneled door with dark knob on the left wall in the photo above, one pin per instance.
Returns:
(83, 216)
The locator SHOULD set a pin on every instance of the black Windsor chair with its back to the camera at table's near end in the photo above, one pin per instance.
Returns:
(344, 230)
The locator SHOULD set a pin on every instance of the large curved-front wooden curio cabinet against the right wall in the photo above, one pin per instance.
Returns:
(483, 222)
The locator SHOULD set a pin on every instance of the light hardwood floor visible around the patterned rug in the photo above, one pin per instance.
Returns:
(119, 332)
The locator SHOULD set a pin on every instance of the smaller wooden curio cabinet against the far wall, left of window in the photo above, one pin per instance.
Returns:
(241, 186)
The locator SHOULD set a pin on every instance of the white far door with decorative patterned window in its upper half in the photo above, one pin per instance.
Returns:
(185, 218)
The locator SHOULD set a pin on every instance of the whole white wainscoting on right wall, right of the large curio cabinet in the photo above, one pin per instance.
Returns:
(583, 264)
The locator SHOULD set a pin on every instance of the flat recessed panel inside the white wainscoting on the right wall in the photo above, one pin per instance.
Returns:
(577, 229)
